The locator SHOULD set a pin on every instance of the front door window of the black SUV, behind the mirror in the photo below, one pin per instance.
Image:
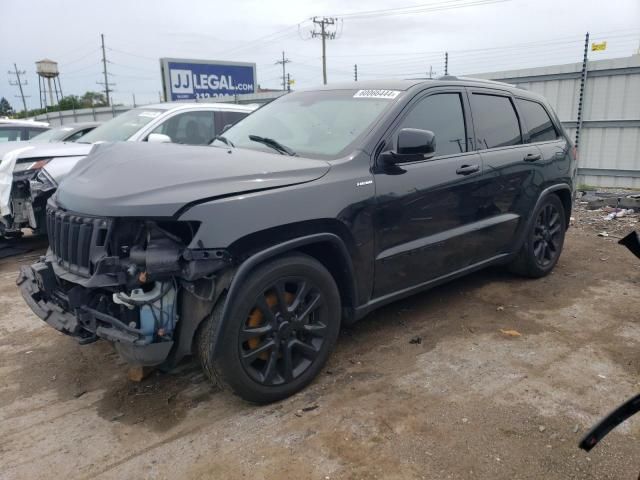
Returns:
(442, 114)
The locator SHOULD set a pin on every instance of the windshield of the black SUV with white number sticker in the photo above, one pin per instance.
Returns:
(319, 124)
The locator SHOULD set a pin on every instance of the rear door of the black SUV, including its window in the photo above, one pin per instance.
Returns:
(509, 174)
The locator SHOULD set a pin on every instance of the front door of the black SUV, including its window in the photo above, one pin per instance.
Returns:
(427, 209)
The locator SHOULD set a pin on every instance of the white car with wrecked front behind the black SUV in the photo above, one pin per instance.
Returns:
(30, 174)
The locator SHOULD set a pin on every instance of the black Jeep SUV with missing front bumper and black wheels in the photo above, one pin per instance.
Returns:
(308, 214)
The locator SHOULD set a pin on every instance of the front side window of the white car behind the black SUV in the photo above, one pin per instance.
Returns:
(189, 128)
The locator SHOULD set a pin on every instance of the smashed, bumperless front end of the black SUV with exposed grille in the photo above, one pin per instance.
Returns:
(130, 281)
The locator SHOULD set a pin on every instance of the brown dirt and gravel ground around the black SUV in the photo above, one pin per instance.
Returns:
(430, 387)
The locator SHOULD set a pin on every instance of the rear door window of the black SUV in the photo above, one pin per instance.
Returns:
(495, 121)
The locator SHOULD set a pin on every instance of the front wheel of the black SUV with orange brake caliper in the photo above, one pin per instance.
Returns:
(280, 332)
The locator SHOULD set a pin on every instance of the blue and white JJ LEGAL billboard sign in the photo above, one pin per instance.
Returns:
(184, 79)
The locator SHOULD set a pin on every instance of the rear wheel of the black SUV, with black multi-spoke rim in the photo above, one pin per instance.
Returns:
(544, 241)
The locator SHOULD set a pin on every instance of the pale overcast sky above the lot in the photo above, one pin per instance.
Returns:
(479, 38)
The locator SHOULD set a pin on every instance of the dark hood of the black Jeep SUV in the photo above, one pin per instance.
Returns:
(156, 180)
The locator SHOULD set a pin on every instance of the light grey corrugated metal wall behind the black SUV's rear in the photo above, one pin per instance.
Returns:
(609, 148)
